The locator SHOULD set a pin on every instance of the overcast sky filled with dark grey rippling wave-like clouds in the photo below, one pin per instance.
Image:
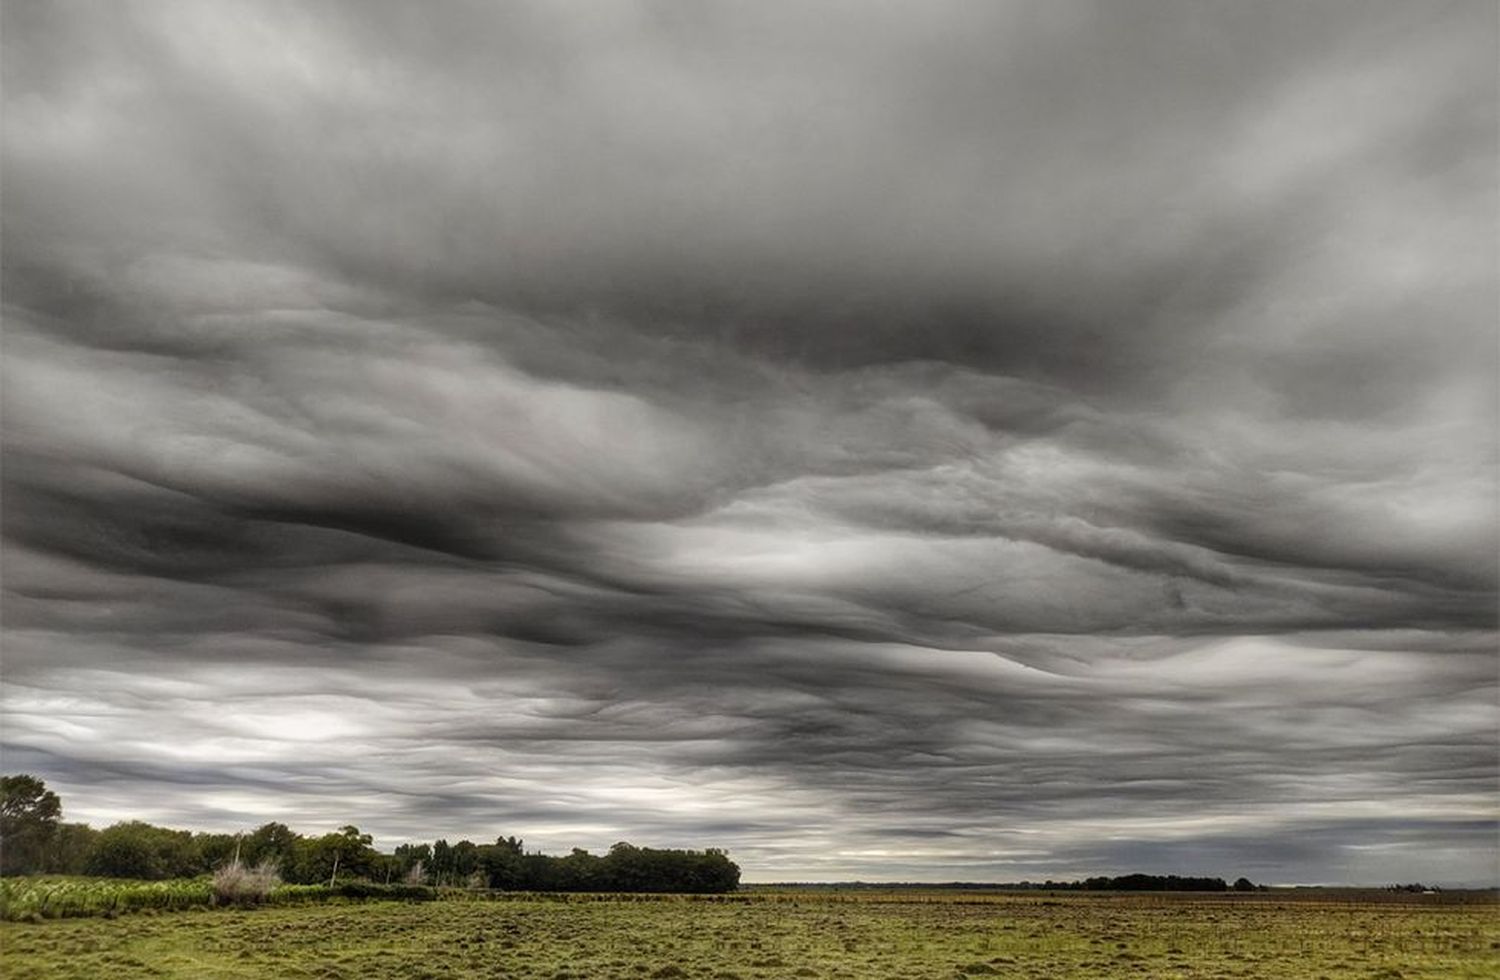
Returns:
(895, 442)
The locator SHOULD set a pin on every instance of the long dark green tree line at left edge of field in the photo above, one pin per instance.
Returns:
(35, 841)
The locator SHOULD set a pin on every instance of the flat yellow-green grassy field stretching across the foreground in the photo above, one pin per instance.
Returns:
(763, 936)
